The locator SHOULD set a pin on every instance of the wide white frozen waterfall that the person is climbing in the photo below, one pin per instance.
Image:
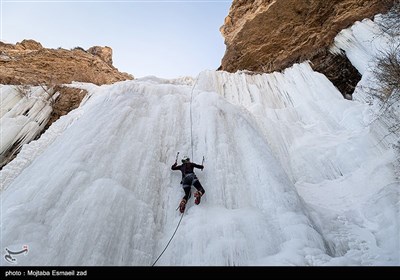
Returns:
(294, 175)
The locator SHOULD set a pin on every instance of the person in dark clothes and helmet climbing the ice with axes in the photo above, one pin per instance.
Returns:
(189, 179)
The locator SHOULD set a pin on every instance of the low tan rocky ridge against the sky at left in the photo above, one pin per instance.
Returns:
(28, 62)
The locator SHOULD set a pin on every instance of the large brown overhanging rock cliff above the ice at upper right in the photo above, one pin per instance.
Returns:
(271, 35)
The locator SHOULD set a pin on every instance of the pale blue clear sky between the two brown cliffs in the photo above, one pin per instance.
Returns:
(162, 38)
